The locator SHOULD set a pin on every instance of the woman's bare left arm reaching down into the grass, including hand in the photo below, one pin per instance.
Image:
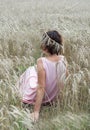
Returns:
(40, 89)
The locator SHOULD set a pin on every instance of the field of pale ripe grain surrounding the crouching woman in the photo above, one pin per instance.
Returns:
(22, 23)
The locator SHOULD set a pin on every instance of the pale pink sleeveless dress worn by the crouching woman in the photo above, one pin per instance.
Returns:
(28, 80)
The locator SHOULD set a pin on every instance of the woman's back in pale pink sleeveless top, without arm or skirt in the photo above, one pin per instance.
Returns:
(54, 70)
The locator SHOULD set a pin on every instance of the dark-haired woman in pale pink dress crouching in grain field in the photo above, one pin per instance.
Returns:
(38, 85)
